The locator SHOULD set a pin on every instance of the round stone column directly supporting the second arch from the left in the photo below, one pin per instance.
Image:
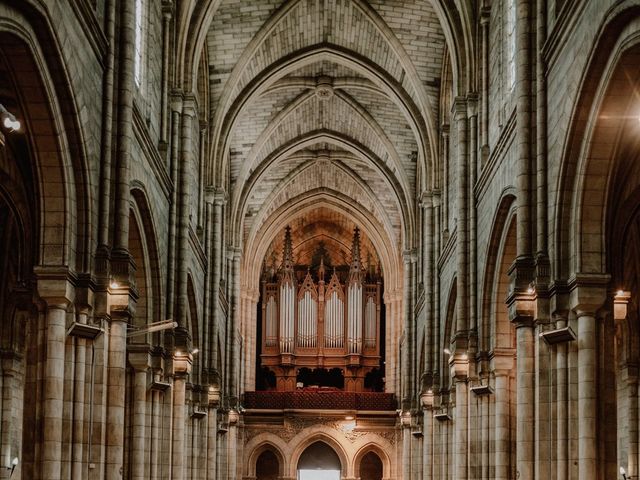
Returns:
(140, 362)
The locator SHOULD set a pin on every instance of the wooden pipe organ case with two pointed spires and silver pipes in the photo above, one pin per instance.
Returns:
(317, 321)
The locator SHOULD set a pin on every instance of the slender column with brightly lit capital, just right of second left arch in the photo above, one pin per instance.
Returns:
(182, 362)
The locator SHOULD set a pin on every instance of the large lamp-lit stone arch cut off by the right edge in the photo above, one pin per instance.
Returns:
(598, 116)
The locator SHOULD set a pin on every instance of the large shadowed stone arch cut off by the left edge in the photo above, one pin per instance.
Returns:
(51, 126)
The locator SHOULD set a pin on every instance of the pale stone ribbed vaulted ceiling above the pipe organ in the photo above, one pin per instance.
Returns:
(324, 106)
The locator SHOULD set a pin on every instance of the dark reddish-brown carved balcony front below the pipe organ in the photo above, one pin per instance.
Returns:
(320, 399)
